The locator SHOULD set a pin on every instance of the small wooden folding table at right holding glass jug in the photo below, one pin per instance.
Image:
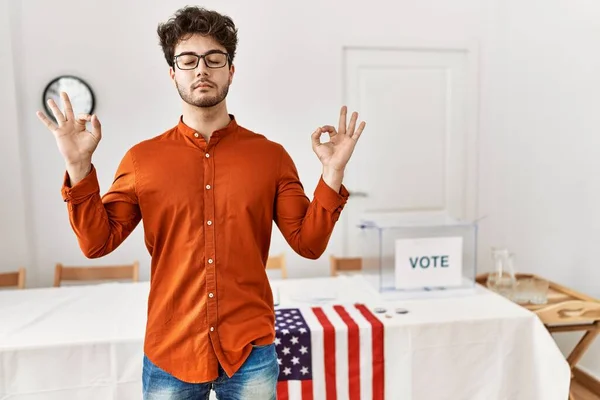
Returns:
(566, 311)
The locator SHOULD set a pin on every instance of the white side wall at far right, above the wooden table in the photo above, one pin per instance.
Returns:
(551, 142)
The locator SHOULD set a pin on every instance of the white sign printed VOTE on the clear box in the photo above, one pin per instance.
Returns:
(429, 262)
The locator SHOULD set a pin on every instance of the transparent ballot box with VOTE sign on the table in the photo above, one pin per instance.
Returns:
(414, 256)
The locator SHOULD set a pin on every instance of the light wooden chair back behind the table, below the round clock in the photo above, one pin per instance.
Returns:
(115, 272)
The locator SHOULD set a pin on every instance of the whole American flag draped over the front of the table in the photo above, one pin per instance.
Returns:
(329, 353)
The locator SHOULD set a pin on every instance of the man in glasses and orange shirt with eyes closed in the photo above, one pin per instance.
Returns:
(207, 192)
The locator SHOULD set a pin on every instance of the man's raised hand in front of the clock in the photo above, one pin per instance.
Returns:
(75, 143)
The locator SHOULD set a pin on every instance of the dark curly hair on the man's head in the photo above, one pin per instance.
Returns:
(196, 20)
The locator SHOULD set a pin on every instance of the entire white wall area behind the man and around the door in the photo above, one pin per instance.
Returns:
(539, 84)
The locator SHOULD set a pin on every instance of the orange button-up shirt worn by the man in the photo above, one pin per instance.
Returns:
(207, 211)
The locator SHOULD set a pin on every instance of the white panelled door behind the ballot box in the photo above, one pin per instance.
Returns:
(418, 152)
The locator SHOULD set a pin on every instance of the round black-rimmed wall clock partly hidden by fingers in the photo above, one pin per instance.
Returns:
(79, 92)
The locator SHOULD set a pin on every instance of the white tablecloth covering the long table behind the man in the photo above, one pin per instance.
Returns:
(85, 342)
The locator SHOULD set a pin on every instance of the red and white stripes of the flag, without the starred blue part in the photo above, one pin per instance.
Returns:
(347, 356)
